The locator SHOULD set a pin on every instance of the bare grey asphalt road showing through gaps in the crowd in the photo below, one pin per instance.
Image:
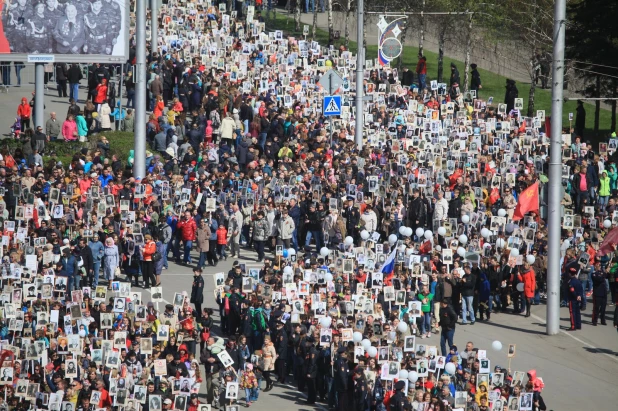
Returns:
(583, 362)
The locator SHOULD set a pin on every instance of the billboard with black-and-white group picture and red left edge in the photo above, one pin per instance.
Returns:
(74, 31)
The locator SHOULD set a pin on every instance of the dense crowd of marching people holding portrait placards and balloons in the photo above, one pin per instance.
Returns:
(372, 257)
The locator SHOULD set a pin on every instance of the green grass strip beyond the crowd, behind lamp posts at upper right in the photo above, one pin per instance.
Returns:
(493, 84)
